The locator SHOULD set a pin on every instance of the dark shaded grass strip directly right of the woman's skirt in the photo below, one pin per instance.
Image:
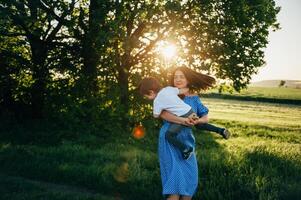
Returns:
(213, 169)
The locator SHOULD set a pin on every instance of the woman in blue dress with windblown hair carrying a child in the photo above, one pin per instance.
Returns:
(179, 176)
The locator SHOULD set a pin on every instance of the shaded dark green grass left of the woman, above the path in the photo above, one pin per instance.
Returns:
(120, 169)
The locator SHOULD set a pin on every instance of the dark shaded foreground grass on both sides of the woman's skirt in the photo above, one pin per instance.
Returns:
(125, 168)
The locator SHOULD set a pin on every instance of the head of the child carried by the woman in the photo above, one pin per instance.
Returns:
(149, 87)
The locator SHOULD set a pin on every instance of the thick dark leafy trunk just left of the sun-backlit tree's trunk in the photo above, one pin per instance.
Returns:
(92, 34)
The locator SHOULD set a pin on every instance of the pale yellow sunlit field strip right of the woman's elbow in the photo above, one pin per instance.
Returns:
(255, 113)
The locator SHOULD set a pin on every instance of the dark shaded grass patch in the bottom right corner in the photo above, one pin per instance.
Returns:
(274, 176)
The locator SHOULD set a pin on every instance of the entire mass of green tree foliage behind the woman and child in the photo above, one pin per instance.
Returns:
(56, 55)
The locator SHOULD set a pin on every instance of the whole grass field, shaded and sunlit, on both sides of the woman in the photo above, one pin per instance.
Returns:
(262, 160)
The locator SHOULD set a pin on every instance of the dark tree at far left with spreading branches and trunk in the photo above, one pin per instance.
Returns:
(40, 31)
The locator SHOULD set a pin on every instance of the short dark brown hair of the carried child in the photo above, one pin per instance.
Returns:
(148, 84)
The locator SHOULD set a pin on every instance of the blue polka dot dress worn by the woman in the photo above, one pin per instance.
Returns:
(179, 176)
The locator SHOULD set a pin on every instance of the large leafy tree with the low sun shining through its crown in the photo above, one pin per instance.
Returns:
(224, 38)
